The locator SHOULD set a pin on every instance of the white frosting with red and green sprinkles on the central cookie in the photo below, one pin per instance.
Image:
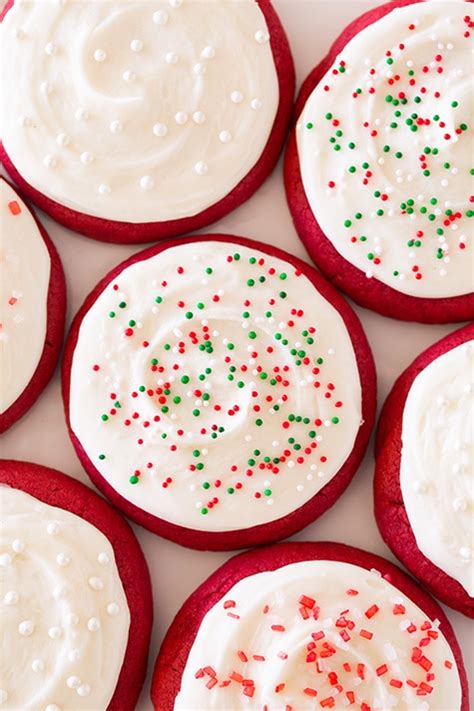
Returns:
(166, 423)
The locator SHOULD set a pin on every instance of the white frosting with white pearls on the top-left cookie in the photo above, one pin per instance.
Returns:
(136, 111)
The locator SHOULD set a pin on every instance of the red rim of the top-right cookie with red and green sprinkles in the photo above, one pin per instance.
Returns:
(369, 293)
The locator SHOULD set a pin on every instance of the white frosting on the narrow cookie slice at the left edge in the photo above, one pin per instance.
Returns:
(25, 268)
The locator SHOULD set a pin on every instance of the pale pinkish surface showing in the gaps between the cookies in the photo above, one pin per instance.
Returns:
(41, 435)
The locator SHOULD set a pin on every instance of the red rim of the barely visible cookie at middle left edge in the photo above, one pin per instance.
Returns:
(56, 318)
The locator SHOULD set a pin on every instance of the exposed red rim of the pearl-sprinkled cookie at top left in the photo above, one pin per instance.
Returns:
(136, 233)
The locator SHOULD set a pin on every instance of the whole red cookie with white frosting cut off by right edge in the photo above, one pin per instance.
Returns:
(423, 477)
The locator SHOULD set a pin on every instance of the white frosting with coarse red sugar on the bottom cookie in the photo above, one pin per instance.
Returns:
(292, 671)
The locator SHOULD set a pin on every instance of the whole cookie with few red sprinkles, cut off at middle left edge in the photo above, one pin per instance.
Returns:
(32, 307)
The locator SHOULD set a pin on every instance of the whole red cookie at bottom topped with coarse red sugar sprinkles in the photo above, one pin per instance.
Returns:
(368, 634)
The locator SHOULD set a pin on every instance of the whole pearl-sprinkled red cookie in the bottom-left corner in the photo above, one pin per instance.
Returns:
(74, 582)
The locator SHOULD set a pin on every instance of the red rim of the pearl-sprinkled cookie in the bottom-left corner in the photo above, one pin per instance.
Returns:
(57, 489)
